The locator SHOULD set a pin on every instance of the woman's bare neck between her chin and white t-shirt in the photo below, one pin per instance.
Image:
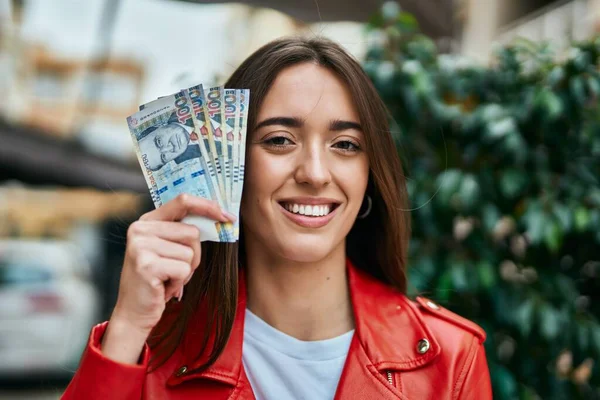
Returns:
(308, 301)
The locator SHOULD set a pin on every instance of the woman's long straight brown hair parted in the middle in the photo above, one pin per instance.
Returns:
(377, 244)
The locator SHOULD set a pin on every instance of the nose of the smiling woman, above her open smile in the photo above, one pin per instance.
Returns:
(313, 168)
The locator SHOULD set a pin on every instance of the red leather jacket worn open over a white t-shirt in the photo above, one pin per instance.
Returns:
(401, 350)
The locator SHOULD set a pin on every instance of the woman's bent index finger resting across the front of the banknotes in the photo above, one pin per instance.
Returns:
(185, 204)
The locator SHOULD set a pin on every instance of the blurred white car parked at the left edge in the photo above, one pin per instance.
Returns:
(47, 306)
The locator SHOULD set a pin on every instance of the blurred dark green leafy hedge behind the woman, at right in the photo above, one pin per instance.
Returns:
(503, 167)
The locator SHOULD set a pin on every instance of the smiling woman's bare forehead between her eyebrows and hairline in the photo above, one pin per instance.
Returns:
(309, 91)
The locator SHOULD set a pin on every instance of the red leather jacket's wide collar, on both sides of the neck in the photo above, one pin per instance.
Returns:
(388, 328)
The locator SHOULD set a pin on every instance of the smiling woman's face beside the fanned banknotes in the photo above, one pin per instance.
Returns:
(307, 169)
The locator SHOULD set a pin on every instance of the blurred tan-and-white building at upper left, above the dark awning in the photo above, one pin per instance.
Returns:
(55, 94)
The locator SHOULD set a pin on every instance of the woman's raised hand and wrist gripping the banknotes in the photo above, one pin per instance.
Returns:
(161, 256)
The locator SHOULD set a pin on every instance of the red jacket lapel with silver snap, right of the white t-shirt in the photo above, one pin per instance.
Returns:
(388, 330)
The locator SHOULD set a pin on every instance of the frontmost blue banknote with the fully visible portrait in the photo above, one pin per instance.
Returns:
(167, 147)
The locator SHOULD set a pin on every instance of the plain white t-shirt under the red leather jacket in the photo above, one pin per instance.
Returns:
(281, 367)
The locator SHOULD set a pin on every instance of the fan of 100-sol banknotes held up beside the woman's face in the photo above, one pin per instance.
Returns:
(194, 142)
